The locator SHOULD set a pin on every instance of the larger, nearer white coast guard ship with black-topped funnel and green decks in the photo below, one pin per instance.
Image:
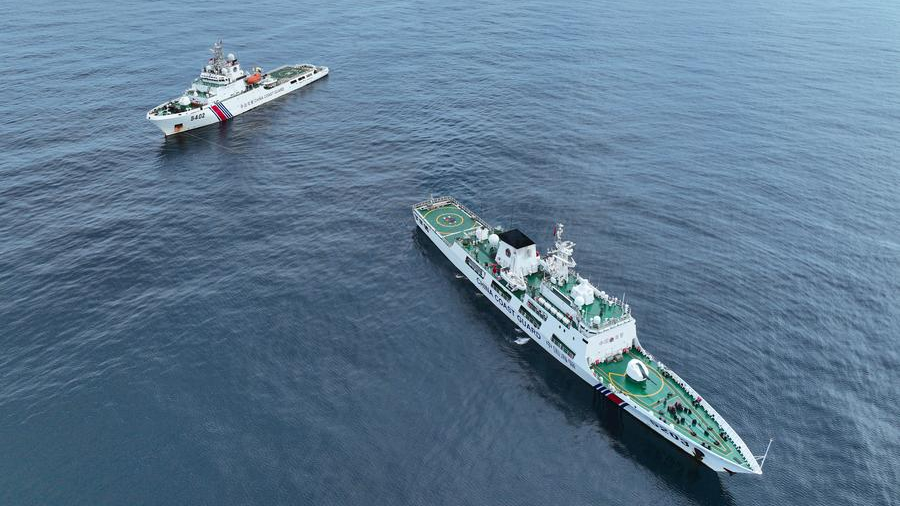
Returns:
(589, 331)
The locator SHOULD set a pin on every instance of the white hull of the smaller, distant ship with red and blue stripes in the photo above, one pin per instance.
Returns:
(219, 111)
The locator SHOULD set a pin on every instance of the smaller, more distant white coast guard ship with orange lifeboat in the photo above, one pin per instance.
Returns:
(224, 90)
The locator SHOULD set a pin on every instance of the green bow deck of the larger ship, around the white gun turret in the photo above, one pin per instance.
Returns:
(658, 393)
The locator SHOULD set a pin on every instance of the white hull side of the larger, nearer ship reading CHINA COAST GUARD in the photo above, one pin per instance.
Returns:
(542, 337)
